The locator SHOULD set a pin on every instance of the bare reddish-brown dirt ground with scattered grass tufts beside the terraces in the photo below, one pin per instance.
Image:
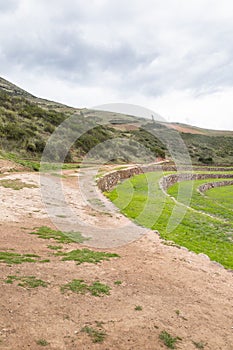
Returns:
(178, 291)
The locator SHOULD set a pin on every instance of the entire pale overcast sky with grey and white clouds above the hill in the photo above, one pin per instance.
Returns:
(174, 57)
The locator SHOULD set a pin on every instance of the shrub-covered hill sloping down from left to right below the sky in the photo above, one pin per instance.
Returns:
(26, 123)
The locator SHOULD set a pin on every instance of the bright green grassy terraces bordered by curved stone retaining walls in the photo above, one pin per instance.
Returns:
(141, 199)
